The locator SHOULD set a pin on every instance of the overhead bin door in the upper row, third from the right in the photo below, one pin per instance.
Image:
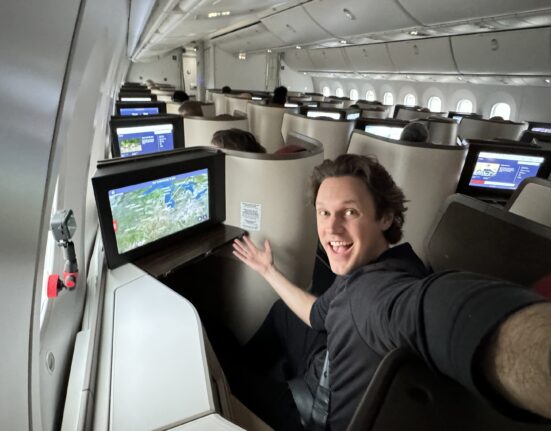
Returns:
(295, 26)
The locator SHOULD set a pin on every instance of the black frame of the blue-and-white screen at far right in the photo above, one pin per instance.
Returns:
(478, 146)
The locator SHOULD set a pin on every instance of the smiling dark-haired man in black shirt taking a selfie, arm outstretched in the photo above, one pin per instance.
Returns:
(384, 298)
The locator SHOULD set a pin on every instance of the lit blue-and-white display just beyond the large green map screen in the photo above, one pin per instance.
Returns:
(139, 140)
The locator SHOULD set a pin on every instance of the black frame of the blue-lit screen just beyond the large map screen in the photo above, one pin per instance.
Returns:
(146, 120)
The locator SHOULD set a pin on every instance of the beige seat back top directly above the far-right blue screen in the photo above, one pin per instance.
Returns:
(478, 128)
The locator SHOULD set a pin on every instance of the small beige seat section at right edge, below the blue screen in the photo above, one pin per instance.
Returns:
(532, 200)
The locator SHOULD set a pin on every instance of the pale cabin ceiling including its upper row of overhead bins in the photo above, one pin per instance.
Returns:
(157, 27)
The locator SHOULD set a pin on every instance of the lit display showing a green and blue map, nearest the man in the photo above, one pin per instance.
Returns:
(143, 213)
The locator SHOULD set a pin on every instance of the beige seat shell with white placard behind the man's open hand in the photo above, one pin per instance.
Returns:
(274, 189)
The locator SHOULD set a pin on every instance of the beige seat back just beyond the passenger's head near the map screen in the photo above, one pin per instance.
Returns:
(198, 131)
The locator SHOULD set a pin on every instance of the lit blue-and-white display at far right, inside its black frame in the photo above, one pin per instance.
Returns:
(504, 171)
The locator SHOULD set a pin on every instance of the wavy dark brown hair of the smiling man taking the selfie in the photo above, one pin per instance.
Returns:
(387, 196)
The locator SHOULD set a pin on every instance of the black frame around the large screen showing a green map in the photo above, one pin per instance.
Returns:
(114, 174)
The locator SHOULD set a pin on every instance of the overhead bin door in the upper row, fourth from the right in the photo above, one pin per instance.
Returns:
(251, 38)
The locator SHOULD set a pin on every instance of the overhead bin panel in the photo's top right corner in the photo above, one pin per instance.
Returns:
(452, 10)
